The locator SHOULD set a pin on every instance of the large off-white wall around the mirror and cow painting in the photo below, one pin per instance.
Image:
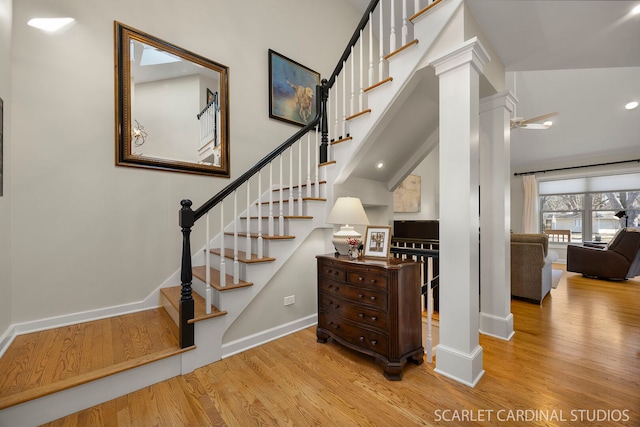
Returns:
(88, 234)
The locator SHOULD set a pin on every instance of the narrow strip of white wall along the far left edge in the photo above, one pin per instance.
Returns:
(5, 200)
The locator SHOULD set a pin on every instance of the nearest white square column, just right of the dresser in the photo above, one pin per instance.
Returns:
(459, 354)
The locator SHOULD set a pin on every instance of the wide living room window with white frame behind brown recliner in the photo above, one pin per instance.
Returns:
(589, 209)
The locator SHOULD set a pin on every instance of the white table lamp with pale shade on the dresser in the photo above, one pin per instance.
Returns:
(347, 211)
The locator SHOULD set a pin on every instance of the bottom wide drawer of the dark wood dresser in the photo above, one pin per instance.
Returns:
(364, 338)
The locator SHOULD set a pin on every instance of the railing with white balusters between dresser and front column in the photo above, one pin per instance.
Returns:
(424, 251)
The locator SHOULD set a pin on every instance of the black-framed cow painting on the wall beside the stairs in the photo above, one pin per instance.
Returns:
(292, 90)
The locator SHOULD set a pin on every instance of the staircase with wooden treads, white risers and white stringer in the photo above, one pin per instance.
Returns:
(240, 260)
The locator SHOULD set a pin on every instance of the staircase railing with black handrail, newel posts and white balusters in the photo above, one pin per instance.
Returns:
(383, 30)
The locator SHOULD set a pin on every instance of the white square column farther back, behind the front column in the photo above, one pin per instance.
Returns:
(495, 220)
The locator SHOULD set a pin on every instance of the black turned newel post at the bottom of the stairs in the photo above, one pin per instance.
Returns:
(187, 219)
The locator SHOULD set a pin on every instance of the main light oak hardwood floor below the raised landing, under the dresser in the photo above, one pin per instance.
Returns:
(573, 358)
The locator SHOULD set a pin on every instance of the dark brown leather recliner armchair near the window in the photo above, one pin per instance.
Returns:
(619, 260)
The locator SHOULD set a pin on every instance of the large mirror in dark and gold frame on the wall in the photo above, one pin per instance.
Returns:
(172, 106)
